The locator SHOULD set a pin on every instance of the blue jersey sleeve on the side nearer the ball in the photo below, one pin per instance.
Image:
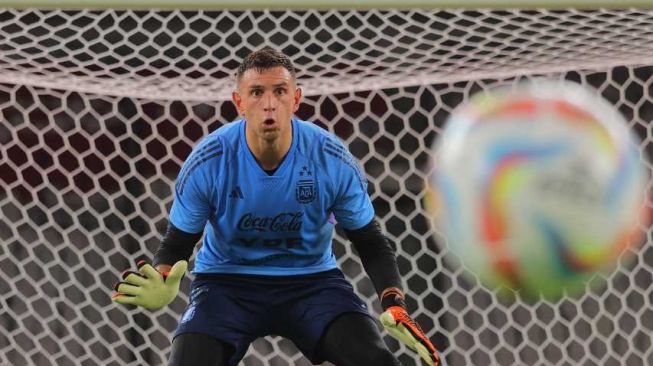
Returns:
(353, 208)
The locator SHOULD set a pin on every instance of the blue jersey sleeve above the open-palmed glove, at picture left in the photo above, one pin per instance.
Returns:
(193, 189)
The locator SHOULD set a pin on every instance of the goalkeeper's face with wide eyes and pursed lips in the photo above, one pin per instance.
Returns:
(267, 99)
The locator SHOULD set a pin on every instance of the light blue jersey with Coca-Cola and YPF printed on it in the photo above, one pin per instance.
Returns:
(279, 224)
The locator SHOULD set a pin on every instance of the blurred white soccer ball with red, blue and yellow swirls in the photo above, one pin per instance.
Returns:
(538, 187)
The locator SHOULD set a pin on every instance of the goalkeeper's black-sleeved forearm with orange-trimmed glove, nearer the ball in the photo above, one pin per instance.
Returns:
(380, 263)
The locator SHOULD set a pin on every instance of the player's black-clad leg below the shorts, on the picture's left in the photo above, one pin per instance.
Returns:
(199, 350)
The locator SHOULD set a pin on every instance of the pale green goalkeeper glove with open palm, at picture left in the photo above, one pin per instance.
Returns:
(148, 287)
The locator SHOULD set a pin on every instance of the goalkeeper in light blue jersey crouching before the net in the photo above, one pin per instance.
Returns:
(266, 192)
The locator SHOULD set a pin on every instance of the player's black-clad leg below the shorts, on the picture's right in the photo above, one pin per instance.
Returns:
(352, 339)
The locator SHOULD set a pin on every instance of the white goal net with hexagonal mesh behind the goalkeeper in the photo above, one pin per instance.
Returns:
(100, 108)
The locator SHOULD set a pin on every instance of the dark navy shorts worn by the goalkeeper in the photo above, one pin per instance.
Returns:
(237, 309)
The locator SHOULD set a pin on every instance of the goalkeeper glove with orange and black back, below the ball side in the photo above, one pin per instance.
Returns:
(403, 328)
